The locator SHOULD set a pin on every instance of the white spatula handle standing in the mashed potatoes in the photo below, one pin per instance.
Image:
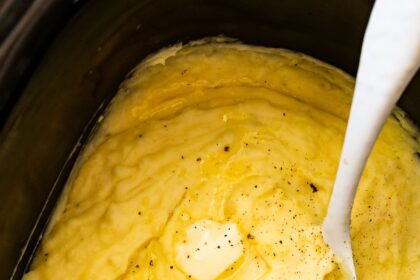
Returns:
(390, 58)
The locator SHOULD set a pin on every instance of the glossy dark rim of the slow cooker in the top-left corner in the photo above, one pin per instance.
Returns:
(28, 30)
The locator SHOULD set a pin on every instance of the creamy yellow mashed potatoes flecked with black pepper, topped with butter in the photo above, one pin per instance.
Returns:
(216, 161)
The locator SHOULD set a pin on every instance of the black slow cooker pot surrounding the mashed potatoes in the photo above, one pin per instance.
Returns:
(61, 62)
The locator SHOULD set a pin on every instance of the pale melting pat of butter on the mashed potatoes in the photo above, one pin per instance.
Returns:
(209, 249)
